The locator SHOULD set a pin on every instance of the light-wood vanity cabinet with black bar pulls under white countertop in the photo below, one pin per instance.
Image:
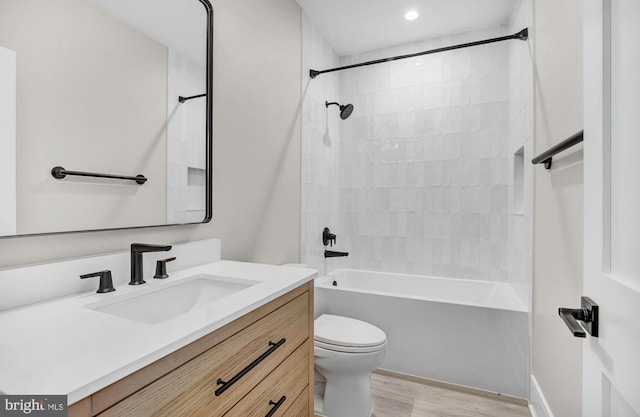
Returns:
(258, 364)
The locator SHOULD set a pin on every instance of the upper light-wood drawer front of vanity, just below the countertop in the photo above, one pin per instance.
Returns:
(192, 386)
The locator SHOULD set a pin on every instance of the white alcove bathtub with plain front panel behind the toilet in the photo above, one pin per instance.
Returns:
(465, 332)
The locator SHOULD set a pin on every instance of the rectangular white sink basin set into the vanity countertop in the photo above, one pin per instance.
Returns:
(168, 301)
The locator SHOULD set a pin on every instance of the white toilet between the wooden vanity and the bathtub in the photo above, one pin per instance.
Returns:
(346, 350)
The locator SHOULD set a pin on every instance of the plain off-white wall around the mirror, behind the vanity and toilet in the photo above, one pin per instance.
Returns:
(257, 160)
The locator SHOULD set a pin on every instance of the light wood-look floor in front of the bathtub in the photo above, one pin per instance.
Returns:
(394, 397)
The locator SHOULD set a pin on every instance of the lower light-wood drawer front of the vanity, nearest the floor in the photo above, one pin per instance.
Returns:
(277, 392)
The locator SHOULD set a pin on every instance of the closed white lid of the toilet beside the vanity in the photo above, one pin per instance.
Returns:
(347, 332)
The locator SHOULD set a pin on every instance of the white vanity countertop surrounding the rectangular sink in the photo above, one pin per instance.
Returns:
(62, 347)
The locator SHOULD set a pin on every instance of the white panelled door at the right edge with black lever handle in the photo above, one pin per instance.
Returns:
(611, 369)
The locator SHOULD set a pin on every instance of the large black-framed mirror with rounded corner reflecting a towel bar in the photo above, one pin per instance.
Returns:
(114, 87)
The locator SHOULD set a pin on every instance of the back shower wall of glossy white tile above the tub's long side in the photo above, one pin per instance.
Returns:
(424, 158)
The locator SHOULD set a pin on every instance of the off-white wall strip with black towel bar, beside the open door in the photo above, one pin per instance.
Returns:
(556, 354)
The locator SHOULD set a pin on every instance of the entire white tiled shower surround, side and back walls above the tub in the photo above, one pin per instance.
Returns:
(423, 168)
